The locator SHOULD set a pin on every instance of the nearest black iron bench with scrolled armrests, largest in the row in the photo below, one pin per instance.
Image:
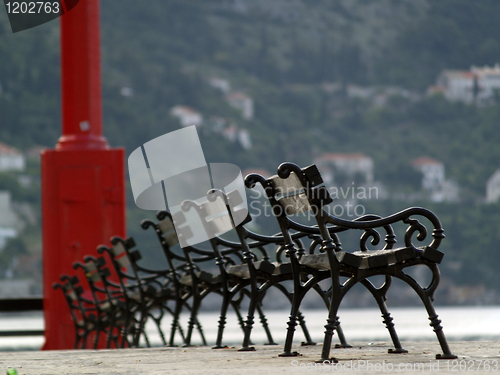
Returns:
(295, 190)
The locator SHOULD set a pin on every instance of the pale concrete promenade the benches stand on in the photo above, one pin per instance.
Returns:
(481, 357)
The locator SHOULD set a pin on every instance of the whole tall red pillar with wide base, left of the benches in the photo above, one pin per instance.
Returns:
(83, 193)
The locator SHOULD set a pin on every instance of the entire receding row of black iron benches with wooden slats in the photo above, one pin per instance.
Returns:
(307, 256)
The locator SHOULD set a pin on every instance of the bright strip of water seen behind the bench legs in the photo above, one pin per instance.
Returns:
(460, 323)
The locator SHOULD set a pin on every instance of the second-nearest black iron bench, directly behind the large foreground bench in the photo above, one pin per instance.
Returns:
(255, 271)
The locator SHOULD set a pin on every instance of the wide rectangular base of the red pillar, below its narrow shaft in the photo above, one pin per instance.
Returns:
(83, 206)
